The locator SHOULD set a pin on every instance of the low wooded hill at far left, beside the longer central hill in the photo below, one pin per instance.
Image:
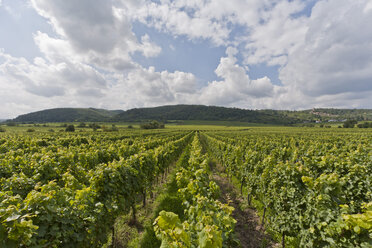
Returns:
(68, 115)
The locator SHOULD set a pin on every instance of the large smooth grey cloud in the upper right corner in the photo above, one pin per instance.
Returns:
(335, 55)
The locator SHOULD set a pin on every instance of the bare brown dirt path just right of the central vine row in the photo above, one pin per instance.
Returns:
(247, 227)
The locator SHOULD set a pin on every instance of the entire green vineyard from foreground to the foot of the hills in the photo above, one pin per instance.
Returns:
(310, 187)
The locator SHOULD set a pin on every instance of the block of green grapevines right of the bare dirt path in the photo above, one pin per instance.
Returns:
(316, 188)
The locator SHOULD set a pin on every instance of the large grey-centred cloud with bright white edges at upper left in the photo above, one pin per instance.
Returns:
(101, 36)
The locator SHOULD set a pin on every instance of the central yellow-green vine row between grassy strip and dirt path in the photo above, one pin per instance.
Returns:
(208, 222)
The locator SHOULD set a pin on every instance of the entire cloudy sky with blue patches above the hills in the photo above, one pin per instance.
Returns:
(122, 54)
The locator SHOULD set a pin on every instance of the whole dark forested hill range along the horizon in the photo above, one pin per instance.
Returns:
(194, 112)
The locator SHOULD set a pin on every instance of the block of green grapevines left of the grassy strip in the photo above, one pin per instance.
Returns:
(76, 205)
